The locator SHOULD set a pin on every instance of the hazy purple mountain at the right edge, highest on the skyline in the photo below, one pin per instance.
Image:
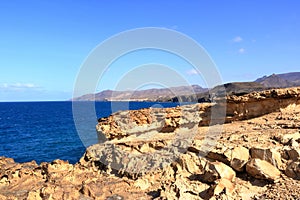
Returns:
(280, 80)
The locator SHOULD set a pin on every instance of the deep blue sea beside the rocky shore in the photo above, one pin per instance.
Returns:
(44, 131)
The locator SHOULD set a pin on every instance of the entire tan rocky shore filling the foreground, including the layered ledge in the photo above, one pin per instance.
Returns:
(178, 153)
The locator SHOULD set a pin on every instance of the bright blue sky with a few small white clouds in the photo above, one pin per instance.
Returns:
(44, 44)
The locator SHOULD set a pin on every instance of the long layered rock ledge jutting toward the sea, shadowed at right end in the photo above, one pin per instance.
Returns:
(233, 108)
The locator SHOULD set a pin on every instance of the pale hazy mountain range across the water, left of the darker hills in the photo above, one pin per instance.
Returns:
(142, 95)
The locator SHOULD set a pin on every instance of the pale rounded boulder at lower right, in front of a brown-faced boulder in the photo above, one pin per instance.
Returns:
(262, 169)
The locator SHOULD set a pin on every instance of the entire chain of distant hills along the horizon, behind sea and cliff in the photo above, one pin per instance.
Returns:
(195, 93)
